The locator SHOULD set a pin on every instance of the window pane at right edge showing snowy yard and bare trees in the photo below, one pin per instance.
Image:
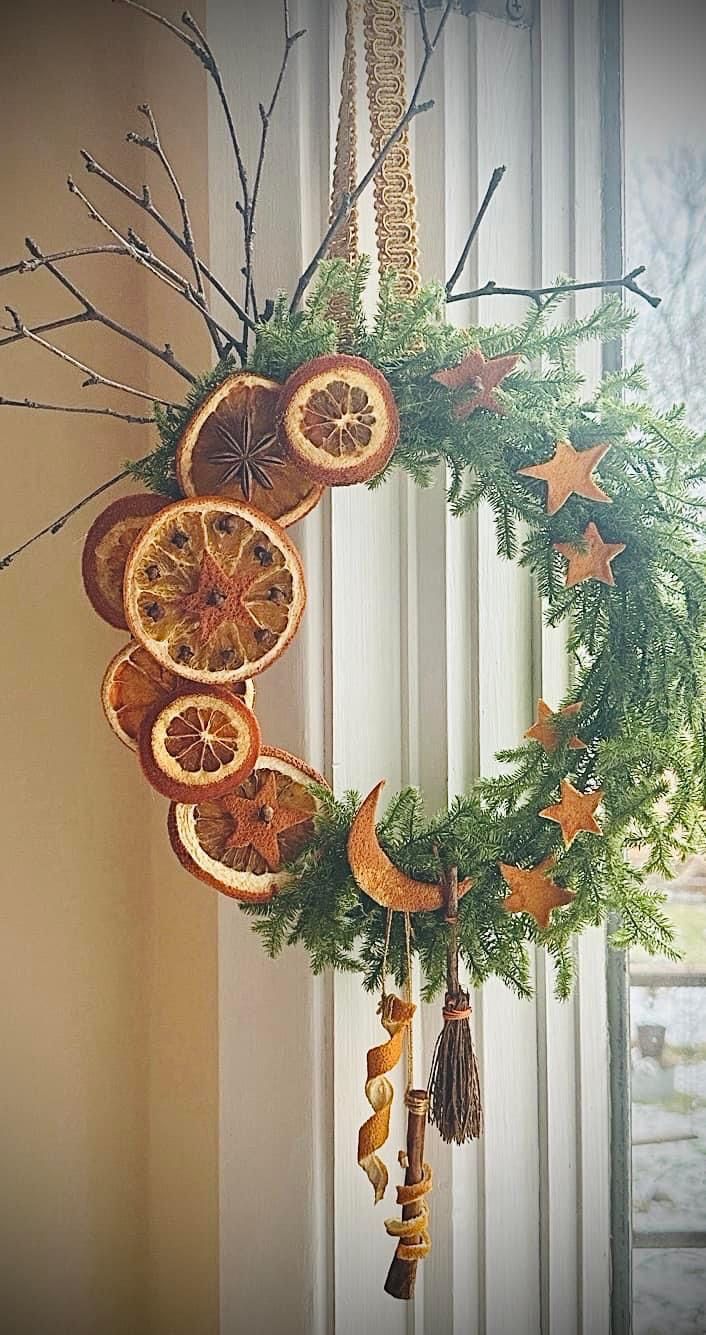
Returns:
(665, 140)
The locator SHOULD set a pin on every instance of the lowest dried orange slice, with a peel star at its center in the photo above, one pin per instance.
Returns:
(241, 842)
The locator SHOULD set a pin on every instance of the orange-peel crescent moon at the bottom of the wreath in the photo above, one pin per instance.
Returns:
(380, 878)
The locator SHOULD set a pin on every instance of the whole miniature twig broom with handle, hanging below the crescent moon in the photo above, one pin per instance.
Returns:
(454, 1087)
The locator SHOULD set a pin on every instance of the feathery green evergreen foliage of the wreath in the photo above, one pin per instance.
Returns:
(639, 648)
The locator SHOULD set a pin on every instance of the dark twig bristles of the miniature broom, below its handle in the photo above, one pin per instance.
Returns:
(454, 1085)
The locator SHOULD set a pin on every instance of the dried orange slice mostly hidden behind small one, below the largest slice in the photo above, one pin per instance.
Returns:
(134, 683)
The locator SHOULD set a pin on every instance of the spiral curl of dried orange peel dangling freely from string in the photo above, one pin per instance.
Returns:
(396, 1017)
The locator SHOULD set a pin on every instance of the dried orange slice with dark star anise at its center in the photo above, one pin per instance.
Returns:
(232, 449)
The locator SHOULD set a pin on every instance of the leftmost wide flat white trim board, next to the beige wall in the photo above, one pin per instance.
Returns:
(277, 1021)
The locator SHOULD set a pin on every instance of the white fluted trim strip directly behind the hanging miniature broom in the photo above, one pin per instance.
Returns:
(446, 751)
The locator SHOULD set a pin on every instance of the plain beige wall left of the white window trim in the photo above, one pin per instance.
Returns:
(109, 1106)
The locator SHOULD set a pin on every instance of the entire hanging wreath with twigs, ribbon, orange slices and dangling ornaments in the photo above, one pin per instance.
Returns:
(212, 587)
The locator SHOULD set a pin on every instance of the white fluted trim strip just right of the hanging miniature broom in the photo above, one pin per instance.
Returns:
(505, 616)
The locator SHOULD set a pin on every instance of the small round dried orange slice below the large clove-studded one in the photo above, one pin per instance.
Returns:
(200, 744)
